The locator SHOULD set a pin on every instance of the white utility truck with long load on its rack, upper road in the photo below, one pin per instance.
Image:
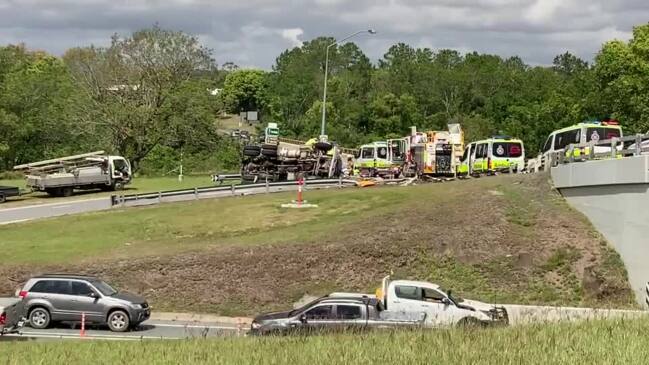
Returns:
(94, 170)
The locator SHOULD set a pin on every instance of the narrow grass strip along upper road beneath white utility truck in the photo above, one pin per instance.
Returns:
(139, 185)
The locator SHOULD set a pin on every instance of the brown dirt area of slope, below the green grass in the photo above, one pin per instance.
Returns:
(521, 244)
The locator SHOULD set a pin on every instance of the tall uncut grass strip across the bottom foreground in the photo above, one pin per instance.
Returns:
(605, 342)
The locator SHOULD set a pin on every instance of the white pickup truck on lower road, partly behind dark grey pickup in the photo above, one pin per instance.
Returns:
(439, 305)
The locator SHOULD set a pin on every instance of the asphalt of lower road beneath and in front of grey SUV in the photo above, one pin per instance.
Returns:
(149, 330)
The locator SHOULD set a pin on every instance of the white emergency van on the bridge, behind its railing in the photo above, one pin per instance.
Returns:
(579, 133)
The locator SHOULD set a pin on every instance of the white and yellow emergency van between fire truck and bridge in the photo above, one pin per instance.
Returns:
(496, 154)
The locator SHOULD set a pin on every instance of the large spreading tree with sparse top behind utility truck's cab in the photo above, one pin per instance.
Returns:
(131, 85)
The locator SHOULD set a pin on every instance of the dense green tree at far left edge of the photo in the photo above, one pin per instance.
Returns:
(36, 116)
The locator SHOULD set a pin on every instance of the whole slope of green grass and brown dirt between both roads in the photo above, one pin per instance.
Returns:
(506, 239)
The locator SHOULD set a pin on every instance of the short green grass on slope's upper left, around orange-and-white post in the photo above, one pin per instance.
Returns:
(173, 228)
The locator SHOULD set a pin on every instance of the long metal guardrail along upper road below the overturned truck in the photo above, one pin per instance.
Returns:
(234, 189)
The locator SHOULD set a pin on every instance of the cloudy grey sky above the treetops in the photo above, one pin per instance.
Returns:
(252, 33)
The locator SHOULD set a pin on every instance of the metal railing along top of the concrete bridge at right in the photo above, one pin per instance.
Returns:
(612, 148)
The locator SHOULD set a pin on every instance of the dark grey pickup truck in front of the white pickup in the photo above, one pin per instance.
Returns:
(332, 313)
